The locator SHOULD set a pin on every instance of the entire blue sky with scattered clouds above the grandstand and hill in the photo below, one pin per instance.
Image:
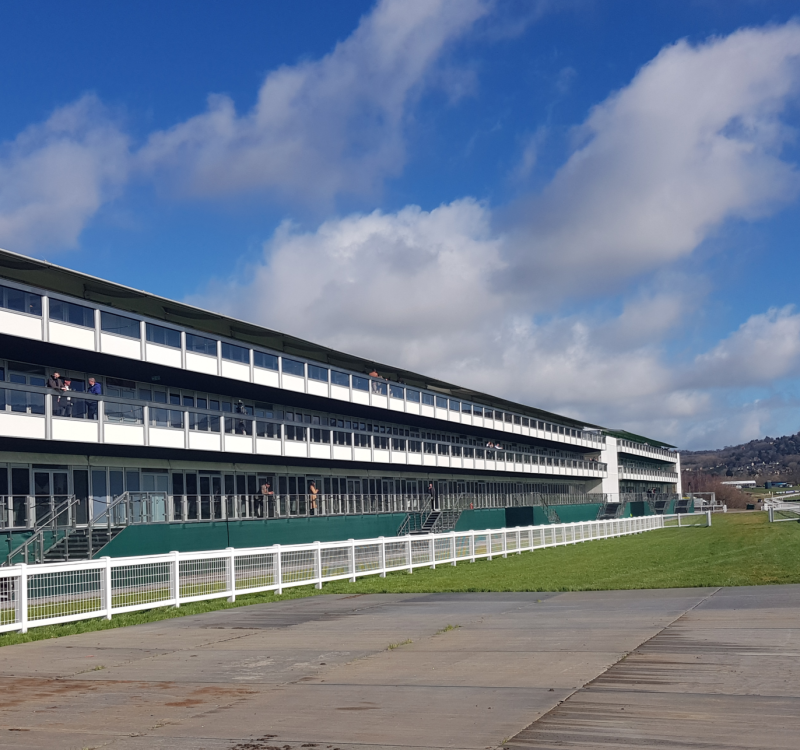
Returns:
(590, 207)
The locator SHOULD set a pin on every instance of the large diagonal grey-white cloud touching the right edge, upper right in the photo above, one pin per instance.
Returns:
(693, 140)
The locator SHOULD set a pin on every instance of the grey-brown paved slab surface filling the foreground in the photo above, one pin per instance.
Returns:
(676, 668)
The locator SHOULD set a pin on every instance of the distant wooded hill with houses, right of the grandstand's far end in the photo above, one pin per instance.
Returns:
(759, 459)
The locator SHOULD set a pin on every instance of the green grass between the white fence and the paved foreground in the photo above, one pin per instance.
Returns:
(740, 549)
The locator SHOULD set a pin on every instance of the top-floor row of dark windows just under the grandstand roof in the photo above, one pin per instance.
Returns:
(121, 325)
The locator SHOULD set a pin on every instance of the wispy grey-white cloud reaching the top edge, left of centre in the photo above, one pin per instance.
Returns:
(321, 128)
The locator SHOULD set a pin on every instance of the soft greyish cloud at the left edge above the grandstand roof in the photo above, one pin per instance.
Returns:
(55, 176)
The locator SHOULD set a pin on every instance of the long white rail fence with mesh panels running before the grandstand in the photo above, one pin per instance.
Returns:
(48, 594)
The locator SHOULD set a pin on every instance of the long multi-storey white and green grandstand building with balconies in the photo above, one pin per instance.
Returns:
(132, 424)
